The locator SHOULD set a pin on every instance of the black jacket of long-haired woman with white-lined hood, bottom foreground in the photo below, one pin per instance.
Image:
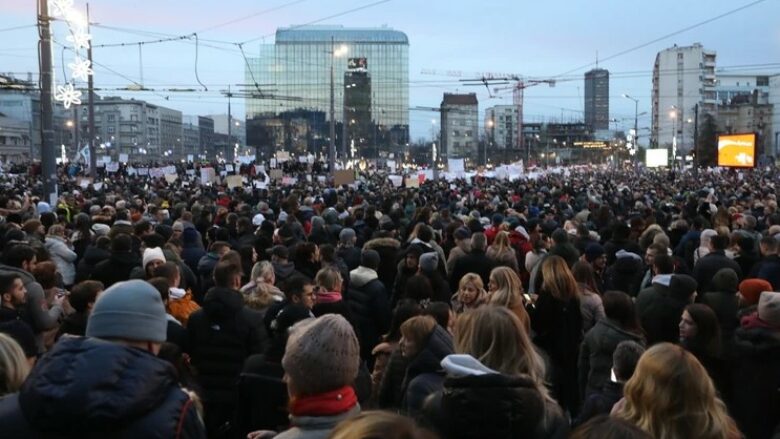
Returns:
(491, 406)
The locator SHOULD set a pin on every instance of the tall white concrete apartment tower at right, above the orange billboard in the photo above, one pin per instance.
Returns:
(682, 78)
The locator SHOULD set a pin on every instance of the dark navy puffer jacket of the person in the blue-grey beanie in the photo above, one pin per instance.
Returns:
(90, 388)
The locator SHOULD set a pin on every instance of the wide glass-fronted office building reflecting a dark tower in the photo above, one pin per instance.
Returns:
(290, 108)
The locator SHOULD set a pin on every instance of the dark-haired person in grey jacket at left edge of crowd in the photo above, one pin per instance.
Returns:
(20, 261)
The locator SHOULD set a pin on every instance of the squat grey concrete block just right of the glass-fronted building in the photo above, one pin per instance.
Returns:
(459, 126)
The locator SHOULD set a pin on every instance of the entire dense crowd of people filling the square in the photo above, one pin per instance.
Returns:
(582, 303)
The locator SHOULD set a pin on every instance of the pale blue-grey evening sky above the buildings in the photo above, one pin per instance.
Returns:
(534, 38)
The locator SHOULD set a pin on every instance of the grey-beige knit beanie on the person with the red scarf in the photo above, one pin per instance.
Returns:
(322, 354)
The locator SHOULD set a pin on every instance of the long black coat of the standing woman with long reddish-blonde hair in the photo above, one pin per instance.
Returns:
(558, 328)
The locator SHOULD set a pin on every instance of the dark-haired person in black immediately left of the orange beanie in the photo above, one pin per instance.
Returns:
(723, 300)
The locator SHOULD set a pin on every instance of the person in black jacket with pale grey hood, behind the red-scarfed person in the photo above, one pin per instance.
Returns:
(369, 303)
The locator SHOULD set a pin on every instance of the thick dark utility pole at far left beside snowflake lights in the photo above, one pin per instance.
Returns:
(48, 164)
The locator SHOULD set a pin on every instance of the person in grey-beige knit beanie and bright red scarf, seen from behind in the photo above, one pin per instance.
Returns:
(321, 364)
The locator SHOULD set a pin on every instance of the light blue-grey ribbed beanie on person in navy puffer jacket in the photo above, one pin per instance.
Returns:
(130, 310)
